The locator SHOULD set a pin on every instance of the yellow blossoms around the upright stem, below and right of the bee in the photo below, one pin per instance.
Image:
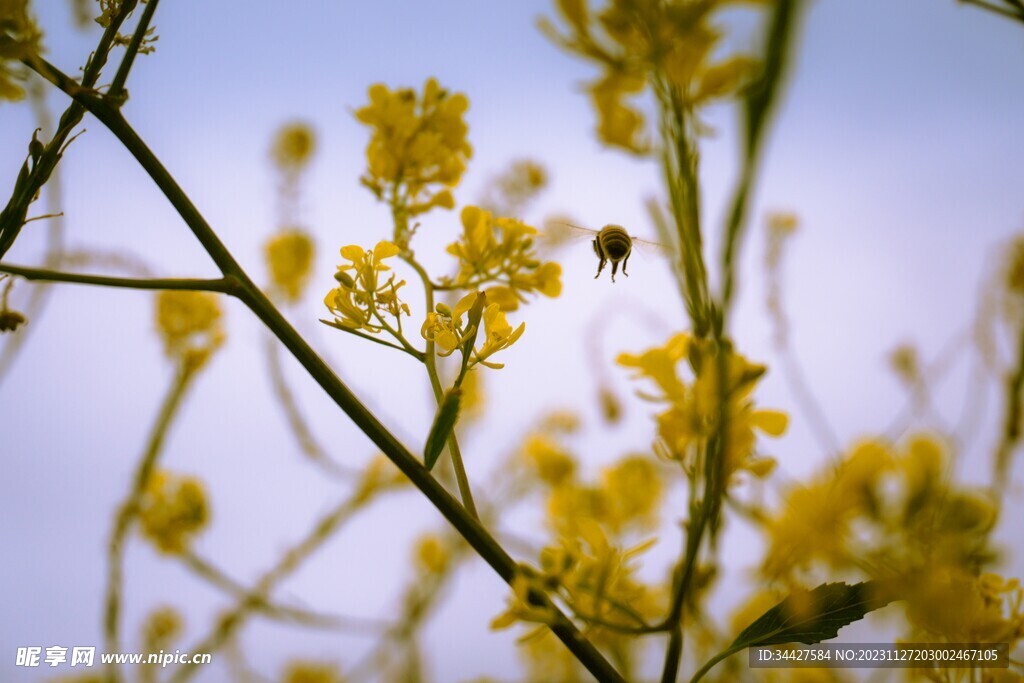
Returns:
(694, 413)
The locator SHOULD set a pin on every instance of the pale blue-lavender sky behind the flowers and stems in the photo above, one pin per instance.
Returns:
(900, 144)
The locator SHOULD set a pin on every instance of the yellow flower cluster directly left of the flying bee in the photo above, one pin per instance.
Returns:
(502, 252)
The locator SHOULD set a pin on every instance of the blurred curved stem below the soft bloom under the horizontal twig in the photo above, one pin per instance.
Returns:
(130, 511)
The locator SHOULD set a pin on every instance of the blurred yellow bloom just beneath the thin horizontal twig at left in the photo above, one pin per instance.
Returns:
(190, 324)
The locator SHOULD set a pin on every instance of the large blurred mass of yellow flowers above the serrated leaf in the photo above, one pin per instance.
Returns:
(891, 514)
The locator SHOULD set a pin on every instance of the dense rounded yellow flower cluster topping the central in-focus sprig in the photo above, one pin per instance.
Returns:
(418, 144)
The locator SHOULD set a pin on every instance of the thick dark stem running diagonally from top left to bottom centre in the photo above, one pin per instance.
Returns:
(467, 526)
